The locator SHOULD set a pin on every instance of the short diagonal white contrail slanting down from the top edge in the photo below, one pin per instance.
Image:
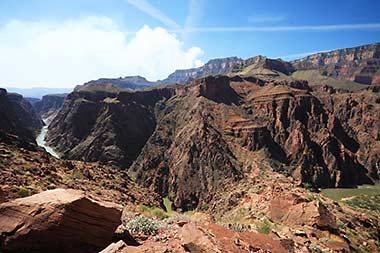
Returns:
(154, 12)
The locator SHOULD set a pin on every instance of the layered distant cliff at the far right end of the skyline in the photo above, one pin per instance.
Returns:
(360, 64)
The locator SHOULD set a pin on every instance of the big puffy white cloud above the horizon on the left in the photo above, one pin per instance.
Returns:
(75, 51)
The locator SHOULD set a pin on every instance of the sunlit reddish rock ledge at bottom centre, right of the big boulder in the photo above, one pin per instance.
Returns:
(205, 237)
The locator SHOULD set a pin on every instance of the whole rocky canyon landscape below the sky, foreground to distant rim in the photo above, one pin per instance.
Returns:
(235, 147)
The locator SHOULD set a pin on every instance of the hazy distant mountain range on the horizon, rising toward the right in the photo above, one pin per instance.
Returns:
(358, 64)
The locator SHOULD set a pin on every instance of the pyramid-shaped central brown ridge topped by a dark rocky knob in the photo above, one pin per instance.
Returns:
(187, 157)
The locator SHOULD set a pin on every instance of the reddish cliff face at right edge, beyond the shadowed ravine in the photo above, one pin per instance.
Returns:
(358, 113)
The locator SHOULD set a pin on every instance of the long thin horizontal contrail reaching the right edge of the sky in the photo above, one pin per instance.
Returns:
(327, 28)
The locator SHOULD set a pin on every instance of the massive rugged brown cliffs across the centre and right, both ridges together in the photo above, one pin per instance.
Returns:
(199, 138)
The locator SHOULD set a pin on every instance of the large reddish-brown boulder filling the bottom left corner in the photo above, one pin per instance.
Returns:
(57, 221)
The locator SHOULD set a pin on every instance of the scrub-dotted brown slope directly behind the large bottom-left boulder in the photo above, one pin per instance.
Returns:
(25, 171)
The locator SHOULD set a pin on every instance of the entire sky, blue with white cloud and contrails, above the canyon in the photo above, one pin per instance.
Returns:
(64, 43)
